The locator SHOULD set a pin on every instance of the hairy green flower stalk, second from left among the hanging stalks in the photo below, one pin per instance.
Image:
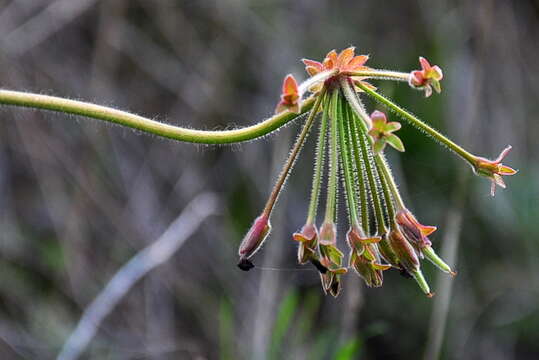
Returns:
(318, 165)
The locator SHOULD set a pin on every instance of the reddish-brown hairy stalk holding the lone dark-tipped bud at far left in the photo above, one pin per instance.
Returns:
(292, 157)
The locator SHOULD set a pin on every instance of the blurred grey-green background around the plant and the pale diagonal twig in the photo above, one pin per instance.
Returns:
(79, 198)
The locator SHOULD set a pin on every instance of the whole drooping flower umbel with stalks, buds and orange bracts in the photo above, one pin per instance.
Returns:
(382, 232)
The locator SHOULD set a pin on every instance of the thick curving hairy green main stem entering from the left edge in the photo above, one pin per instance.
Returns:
(52, 103)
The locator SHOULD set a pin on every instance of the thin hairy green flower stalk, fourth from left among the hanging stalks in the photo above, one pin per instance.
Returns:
(345, 161)
